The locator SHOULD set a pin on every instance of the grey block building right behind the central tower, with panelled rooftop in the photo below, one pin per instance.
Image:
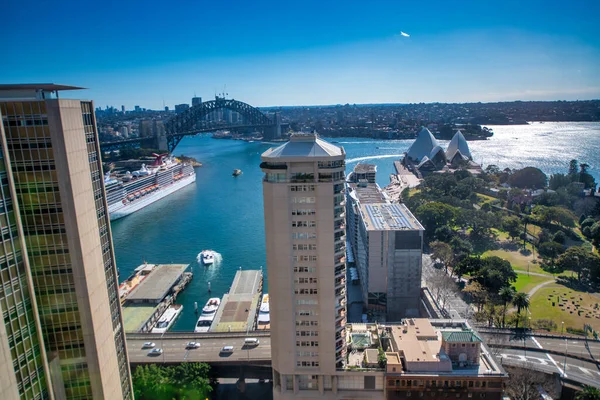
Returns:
(387, 242)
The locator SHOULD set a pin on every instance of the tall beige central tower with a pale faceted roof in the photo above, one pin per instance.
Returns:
(303, 191)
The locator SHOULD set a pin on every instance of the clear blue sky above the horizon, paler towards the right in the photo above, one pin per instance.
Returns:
(306, 52)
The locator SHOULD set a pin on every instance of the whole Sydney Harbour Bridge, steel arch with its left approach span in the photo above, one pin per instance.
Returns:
(197, 119)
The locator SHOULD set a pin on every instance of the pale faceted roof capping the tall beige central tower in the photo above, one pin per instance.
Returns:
(303, 145)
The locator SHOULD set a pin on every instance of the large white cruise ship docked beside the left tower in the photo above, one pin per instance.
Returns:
(130, 192)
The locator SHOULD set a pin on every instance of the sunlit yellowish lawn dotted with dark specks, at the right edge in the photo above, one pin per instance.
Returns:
(541, 307)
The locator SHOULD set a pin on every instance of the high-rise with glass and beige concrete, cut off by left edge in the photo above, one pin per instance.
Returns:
(64, 334)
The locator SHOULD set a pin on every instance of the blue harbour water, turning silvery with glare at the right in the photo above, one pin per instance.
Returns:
(225, 213)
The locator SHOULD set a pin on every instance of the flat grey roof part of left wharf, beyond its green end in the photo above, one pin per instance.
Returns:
(158, 283)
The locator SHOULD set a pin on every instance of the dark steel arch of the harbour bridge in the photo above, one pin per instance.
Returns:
(187, 123)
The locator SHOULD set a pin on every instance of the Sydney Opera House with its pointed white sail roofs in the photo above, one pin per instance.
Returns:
(426, 155)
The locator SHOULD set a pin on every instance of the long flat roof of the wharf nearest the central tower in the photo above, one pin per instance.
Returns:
(239, 307)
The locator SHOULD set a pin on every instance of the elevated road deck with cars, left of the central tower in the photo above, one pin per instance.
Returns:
(174, 351)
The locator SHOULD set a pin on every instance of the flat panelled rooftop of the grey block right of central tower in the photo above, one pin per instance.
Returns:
(389, 217)
